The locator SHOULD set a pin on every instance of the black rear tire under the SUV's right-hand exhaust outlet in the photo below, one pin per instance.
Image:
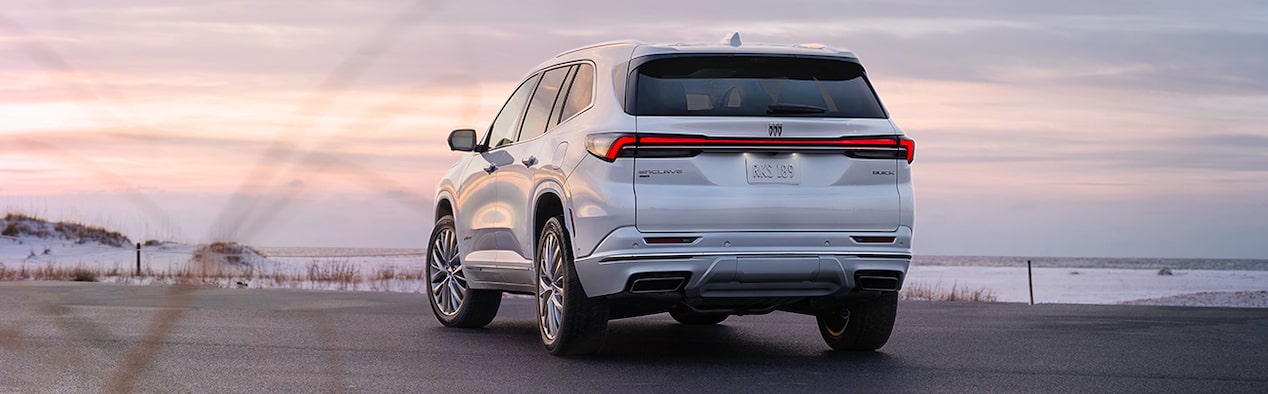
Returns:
(864, 326)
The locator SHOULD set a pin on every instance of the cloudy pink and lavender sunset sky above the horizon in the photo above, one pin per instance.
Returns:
(1073, 129)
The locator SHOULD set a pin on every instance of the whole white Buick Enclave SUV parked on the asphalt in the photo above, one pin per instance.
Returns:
(704, 181)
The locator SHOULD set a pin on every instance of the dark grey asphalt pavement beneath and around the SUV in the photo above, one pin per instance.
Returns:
(94, 338)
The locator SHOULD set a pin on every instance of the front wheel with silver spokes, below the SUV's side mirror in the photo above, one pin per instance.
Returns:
(453, 302)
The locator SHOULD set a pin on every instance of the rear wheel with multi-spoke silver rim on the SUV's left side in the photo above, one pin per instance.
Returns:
(569, 322)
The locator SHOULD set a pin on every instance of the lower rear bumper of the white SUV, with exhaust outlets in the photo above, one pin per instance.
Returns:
(745, 265)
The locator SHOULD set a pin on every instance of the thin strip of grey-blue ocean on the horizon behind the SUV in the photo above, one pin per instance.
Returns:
(354, 255)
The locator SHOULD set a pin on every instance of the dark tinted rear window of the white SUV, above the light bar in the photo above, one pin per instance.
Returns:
(754, 87)
